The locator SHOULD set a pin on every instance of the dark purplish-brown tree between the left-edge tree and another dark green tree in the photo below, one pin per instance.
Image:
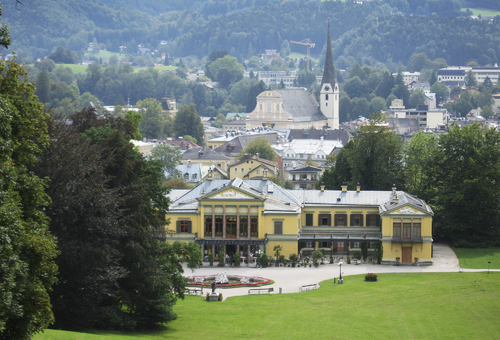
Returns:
(86, 218)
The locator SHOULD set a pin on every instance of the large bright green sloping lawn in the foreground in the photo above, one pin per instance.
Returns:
(398, 306)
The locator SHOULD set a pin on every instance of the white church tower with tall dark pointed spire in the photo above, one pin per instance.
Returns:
(329, 94)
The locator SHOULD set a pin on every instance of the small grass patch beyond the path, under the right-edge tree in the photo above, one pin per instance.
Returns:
(477, 258)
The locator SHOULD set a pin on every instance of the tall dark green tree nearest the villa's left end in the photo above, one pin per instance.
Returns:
(153, 279)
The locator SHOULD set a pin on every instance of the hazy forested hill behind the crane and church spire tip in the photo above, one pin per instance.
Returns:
(266, 27)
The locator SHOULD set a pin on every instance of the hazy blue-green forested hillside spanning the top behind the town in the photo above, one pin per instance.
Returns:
(382, 31)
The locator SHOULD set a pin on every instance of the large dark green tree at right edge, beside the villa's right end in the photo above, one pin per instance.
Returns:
(464, 186)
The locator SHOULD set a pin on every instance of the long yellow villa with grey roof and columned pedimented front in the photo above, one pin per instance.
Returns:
(251, 215)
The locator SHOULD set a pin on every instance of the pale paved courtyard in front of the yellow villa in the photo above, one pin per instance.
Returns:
(291, 279)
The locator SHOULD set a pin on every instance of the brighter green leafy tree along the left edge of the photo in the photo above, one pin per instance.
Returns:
(27, 249)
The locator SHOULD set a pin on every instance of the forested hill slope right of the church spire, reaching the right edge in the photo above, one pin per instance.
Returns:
(458, 40)
